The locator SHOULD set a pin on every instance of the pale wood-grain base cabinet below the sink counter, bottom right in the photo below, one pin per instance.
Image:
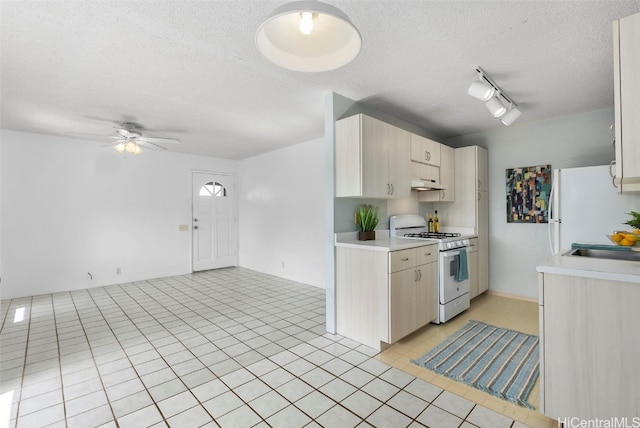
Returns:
(589, 348)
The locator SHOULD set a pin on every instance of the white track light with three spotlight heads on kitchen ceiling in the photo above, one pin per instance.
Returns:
(497, 102)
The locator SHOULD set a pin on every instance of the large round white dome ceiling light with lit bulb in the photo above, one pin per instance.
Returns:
(308, 36)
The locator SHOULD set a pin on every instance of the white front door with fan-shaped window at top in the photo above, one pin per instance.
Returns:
(214, 221)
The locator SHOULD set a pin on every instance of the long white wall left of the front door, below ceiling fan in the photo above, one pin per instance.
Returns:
(70, 207)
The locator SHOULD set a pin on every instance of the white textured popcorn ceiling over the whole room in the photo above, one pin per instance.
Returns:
(190, 69)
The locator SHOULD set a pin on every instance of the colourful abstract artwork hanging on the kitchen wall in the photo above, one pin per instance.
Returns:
(528, 190)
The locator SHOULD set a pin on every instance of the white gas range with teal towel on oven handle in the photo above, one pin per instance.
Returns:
(453, 266)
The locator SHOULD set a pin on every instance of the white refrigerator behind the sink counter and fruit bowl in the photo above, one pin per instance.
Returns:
(585, 207)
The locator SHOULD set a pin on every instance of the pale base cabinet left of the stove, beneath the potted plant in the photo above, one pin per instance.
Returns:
(382, 296)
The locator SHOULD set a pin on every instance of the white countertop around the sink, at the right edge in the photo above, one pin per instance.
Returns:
(591, 267)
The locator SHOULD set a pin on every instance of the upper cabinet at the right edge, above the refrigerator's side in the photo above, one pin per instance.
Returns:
(626, 69)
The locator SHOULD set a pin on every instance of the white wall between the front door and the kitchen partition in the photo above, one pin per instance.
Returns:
(281, 202)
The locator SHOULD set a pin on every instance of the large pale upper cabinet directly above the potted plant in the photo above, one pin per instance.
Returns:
(372, 159)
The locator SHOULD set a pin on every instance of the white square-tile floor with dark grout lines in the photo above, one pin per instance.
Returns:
(229, 348)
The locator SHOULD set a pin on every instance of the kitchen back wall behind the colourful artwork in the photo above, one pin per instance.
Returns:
(572, 141)
